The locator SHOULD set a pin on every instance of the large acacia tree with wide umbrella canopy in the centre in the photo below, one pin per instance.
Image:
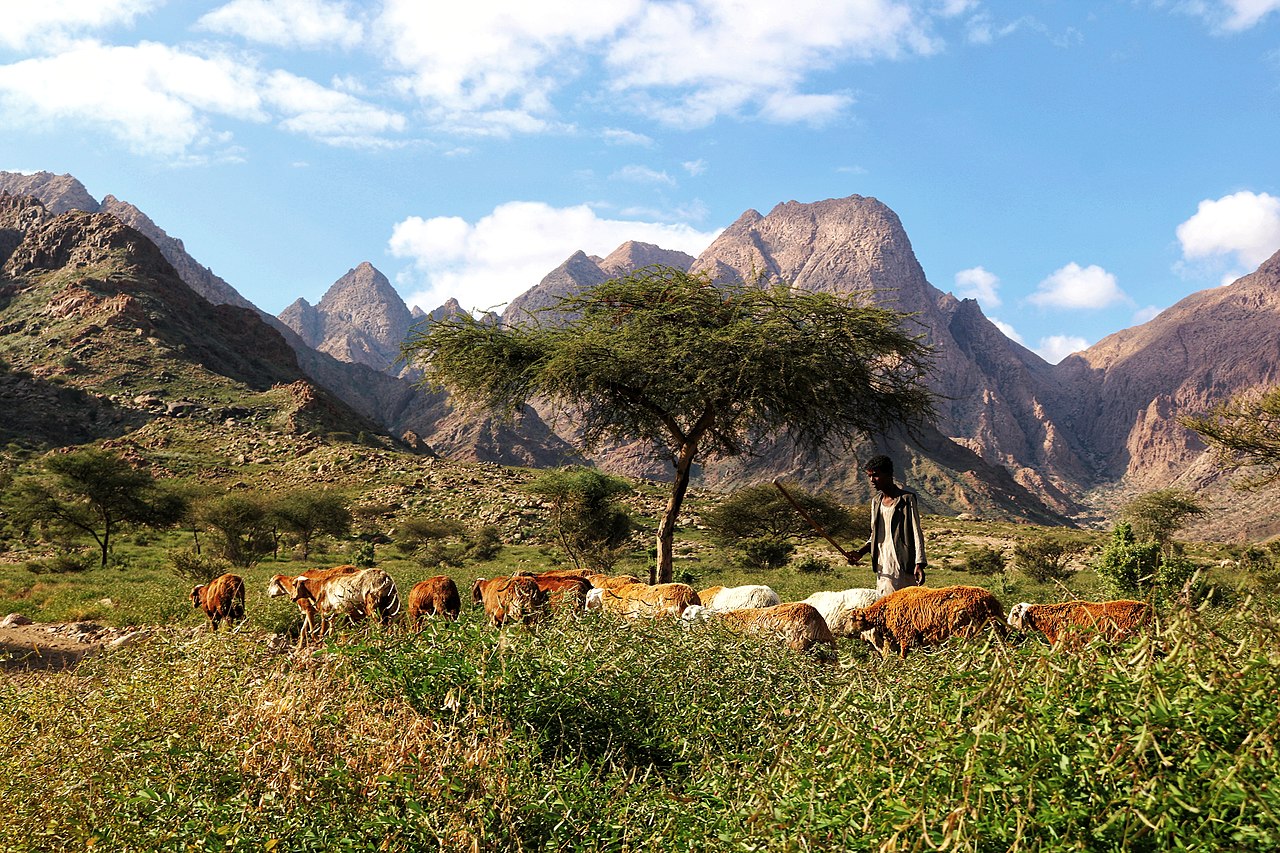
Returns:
(668, 357)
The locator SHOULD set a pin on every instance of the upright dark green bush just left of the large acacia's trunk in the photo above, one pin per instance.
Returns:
(589, 522)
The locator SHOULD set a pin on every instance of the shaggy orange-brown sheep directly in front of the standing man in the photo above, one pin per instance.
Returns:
(926, 617)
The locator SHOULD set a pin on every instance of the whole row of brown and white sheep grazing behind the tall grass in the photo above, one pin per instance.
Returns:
(898, 623)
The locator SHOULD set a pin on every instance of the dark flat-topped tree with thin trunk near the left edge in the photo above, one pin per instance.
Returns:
(94, 492)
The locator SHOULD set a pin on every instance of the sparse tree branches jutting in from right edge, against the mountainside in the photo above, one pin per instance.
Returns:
(1246, 434)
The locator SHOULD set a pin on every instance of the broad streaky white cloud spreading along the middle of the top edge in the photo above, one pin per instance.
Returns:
(685, 62)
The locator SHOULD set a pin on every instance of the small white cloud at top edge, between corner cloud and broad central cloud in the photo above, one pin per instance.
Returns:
(286, 24)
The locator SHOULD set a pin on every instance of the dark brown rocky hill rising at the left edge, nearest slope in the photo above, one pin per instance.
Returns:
(99, 336)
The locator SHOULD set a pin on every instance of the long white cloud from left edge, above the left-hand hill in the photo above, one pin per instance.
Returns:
(159, 101)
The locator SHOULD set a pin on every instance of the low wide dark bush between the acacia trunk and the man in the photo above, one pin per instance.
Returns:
(764, 510)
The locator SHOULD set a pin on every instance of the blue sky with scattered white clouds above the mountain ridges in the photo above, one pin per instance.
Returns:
(1076, 166)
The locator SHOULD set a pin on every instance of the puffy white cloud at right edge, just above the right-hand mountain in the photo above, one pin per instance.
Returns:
(1244, 227)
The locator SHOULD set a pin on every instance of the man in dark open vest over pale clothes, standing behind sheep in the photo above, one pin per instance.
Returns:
(897, 544)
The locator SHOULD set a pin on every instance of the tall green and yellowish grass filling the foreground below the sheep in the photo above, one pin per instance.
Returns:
(589, 735)
